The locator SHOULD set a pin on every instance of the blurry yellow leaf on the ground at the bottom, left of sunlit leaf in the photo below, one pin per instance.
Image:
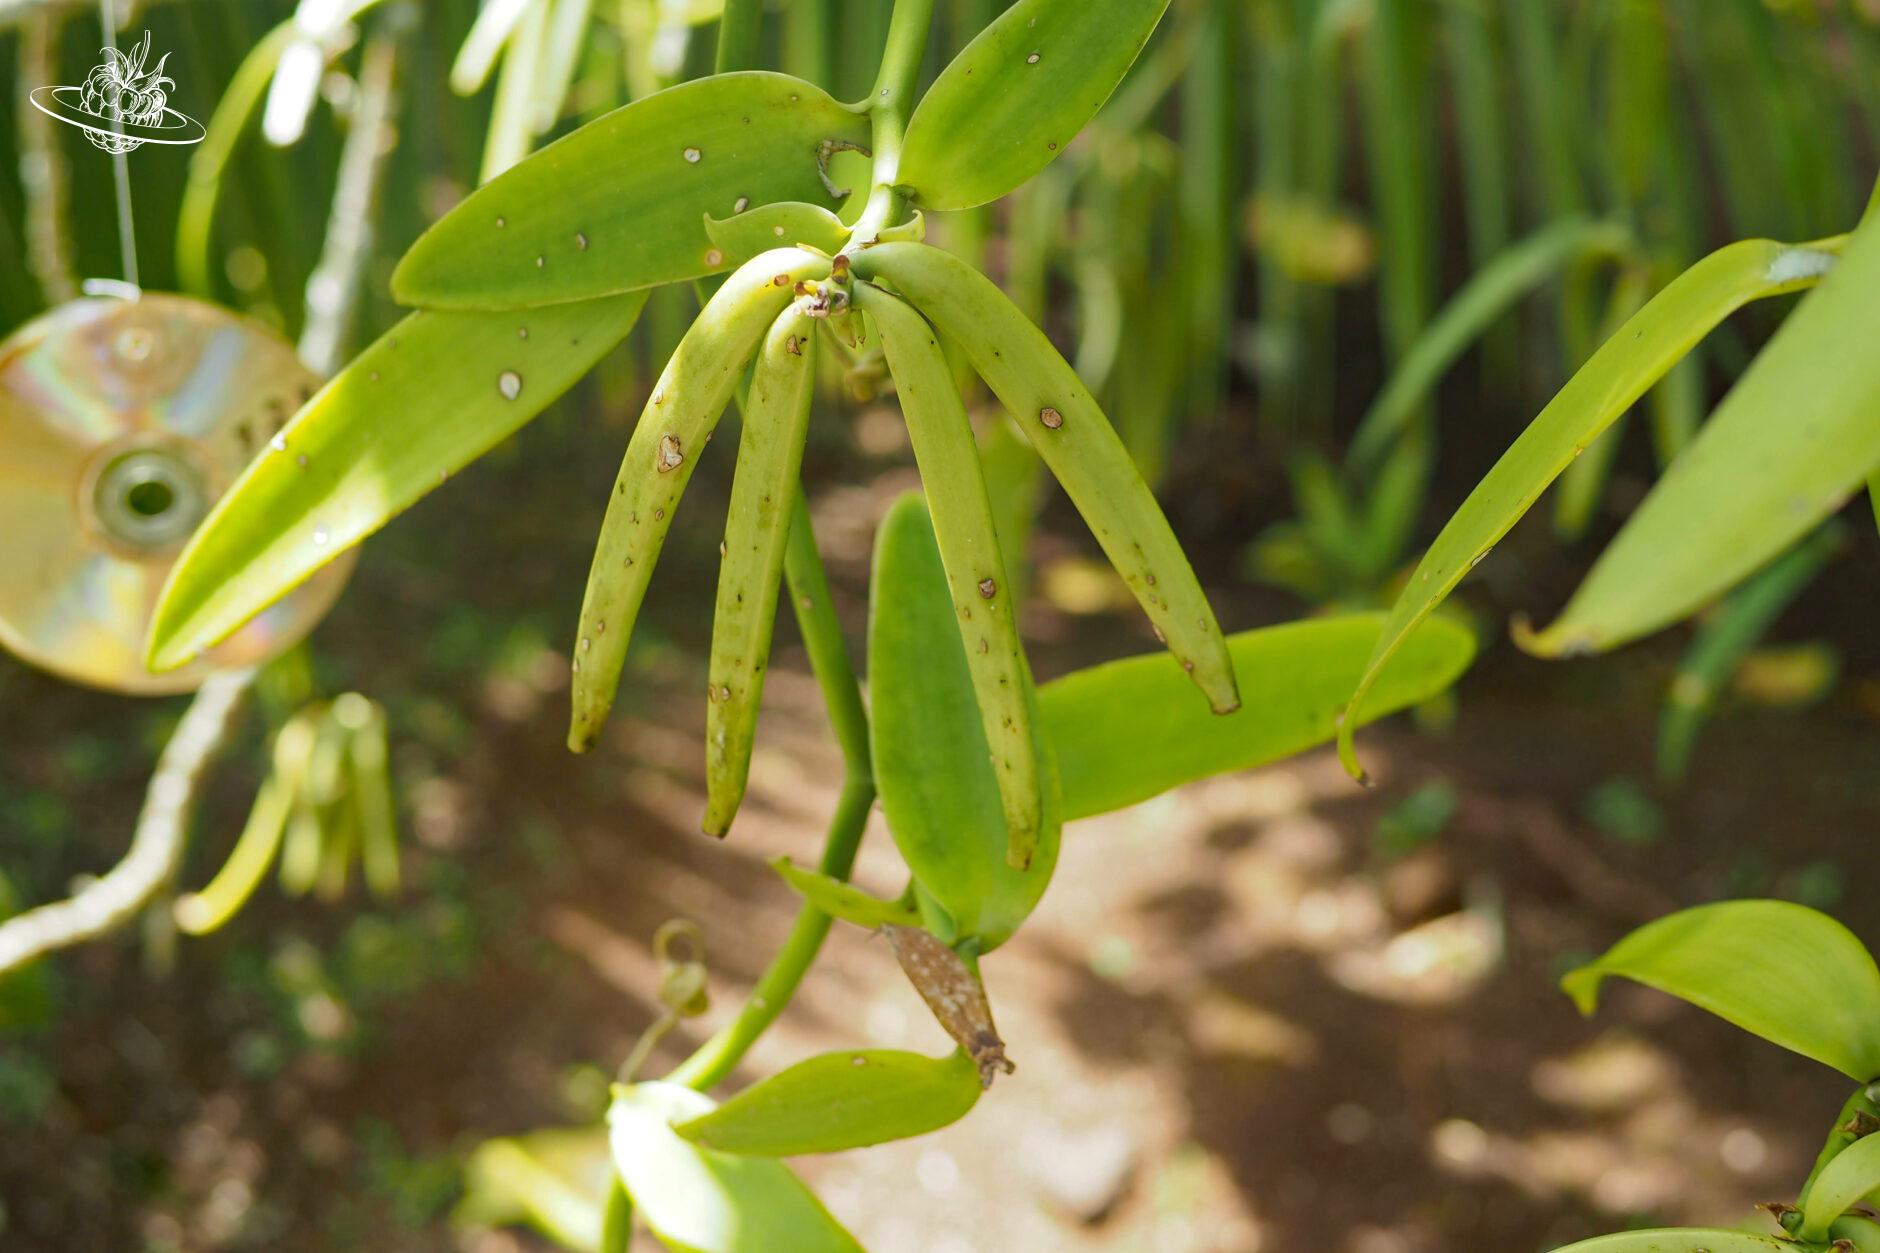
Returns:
(556, 1181)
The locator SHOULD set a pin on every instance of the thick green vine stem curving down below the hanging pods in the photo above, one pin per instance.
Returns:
(822, 637)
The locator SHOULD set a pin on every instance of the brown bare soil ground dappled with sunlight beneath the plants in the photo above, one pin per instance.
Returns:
(1240, 1026)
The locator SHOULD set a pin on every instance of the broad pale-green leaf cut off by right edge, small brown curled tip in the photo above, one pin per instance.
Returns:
(1793, 441)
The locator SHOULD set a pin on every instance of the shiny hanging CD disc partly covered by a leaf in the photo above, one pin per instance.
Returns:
(121, 422)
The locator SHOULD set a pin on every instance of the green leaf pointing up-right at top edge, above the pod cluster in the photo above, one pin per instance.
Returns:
(1018, 95)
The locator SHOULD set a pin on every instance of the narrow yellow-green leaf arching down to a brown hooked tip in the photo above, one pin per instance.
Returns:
(1621, 372)
